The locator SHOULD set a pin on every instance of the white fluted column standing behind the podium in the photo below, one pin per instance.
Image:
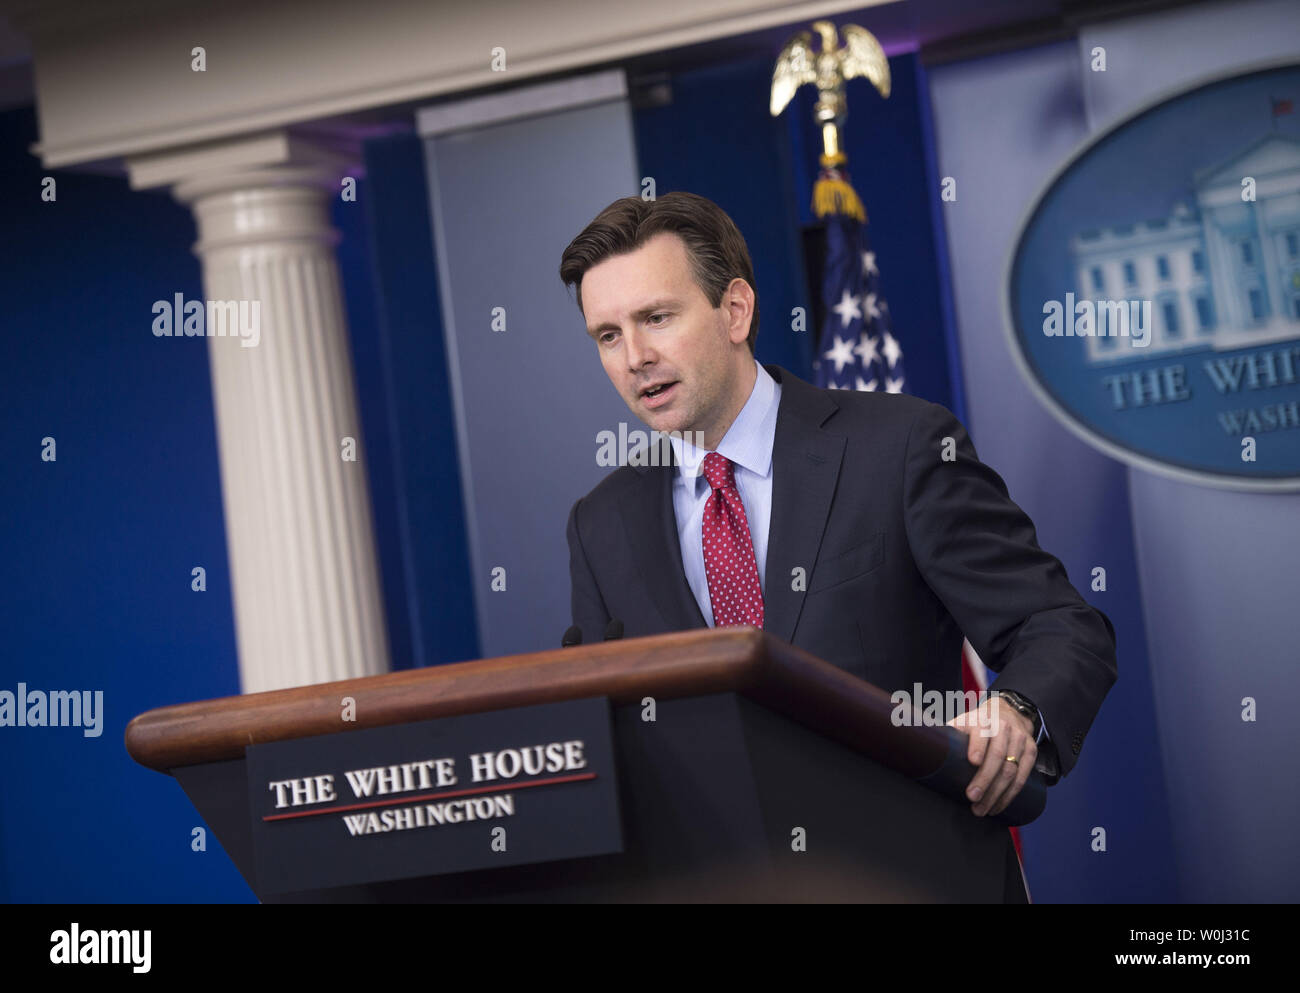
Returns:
(300, 534)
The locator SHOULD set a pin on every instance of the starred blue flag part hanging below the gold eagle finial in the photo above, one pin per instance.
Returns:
(857, 350)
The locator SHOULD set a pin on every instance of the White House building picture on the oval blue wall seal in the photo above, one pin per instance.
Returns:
(1224, 275)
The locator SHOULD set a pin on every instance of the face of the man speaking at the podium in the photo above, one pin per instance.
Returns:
(653, 326)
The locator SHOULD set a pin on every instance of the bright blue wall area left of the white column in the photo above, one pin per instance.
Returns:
(97, 548)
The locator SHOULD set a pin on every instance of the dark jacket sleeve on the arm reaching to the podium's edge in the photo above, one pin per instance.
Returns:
(980, 553)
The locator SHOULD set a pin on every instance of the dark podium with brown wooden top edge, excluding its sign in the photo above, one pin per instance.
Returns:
(753, 740)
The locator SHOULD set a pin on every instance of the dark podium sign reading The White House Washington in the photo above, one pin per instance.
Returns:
(480, 791)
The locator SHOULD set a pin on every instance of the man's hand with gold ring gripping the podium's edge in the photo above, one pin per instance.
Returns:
(998, 730)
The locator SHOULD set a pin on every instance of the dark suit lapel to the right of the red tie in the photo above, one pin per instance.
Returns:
(805, 471)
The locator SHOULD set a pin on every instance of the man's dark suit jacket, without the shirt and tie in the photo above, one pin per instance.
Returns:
(903, 552)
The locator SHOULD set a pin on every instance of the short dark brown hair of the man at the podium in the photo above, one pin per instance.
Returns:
(714, 245)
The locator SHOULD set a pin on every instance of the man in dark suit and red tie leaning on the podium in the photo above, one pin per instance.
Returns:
(905, 539)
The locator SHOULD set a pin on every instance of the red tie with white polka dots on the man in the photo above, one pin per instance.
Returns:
(730, 563)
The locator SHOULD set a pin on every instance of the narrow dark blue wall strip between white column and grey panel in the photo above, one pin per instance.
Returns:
(406, 396)
